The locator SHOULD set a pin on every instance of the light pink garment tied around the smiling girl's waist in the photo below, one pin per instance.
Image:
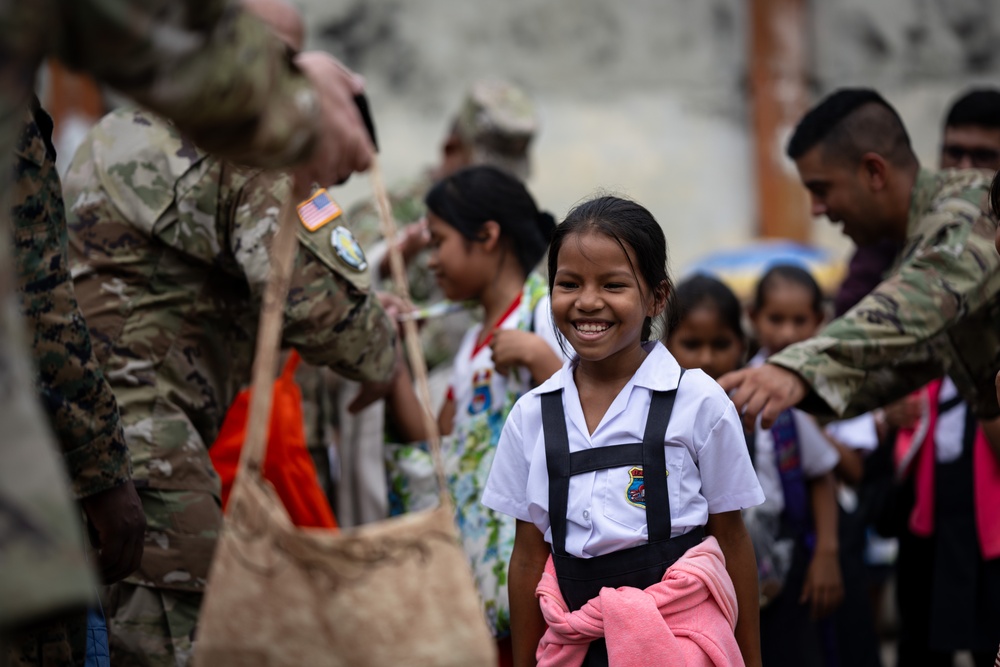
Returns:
(687, 619)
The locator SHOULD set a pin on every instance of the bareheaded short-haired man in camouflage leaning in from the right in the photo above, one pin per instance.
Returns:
(936, 314)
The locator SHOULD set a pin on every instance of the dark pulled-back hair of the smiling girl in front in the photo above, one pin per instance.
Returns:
(635, 229)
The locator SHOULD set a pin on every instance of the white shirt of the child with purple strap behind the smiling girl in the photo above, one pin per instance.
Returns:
(817, 454)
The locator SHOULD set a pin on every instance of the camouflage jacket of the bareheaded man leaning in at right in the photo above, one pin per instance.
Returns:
(937, 313)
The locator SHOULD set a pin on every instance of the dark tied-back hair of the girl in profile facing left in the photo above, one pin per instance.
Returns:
(470, 197)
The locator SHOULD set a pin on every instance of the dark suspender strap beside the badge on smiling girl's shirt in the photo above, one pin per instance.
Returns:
(654, 464)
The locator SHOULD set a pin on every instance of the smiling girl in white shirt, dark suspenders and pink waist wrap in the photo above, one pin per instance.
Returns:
(624, 473)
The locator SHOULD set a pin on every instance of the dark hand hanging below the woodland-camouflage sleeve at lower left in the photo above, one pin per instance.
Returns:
(117, 528)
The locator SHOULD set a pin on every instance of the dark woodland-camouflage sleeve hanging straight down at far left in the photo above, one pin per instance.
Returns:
(79, 402)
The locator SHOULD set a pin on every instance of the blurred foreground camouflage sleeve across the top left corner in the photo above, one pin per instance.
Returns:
(216, 71)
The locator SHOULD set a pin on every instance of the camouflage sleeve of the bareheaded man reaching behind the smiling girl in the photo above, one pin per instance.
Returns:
(897, 338)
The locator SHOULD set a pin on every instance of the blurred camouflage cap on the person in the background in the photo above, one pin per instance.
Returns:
(498, 120)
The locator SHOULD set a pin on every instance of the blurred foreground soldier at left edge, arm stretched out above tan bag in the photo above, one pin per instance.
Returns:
(231, 84)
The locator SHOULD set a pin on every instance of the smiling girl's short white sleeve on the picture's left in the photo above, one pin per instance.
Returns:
(507, 484)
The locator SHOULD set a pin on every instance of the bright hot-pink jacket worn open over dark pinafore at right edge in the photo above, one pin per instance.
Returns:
(985, 482)
